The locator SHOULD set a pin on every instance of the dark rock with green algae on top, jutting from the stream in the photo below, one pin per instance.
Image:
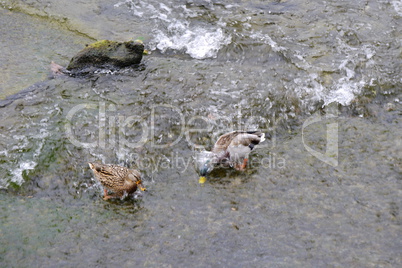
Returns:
(107, 53)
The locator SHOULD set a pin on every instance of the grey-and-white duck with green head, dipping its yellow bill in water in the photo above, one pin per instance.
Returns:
(231, 149)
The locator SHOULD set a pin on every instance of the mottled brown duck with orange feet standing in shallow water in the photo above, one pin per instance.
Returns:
(118, 179)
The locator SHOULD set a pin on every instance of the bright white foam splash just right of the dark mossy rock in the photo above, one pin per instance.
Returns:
(173, 30)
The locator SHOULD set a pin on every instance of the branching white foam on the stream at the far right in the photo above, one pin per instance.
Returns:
(310, 88)
